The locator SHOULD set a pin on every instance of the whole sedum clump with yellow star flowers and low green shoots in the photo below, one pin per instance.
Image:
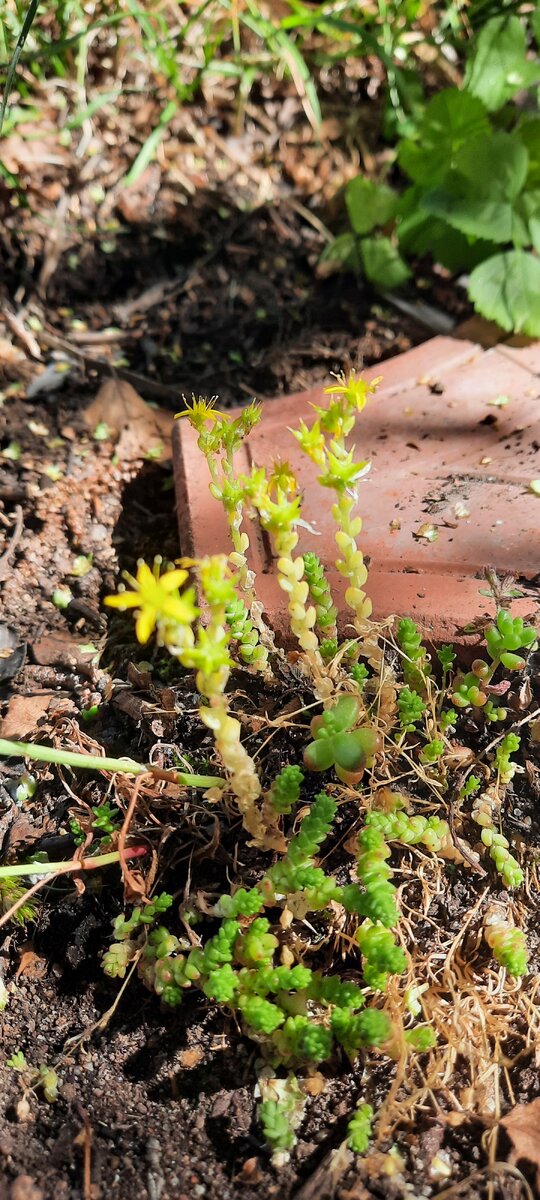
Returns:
(256, 949)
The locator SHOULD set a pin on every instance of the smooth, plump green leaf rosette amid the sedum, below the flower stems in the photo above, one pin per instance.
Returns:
(338, 743)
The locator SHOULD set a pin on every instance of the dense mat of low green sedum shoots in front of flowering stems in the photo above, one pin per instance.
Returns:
(298, 1016)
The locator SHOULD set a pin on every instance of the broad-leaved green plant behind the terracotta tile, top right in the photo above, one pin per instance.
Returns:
(475, 199)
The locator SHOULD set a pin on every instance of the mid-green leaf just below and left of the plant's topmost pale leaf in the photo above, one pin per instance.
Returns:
(451, 119)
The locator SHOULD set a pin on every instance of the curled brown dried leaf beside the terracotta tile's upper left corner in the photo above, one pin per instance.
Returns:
(139, 428)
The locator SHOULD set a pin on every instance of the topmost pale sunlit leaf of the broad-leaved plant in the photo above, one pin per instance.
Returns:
(499, 67)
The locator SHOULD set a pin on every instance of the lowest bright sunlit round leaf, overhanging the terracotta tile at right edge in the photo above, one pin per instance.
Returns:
(507, 289)
